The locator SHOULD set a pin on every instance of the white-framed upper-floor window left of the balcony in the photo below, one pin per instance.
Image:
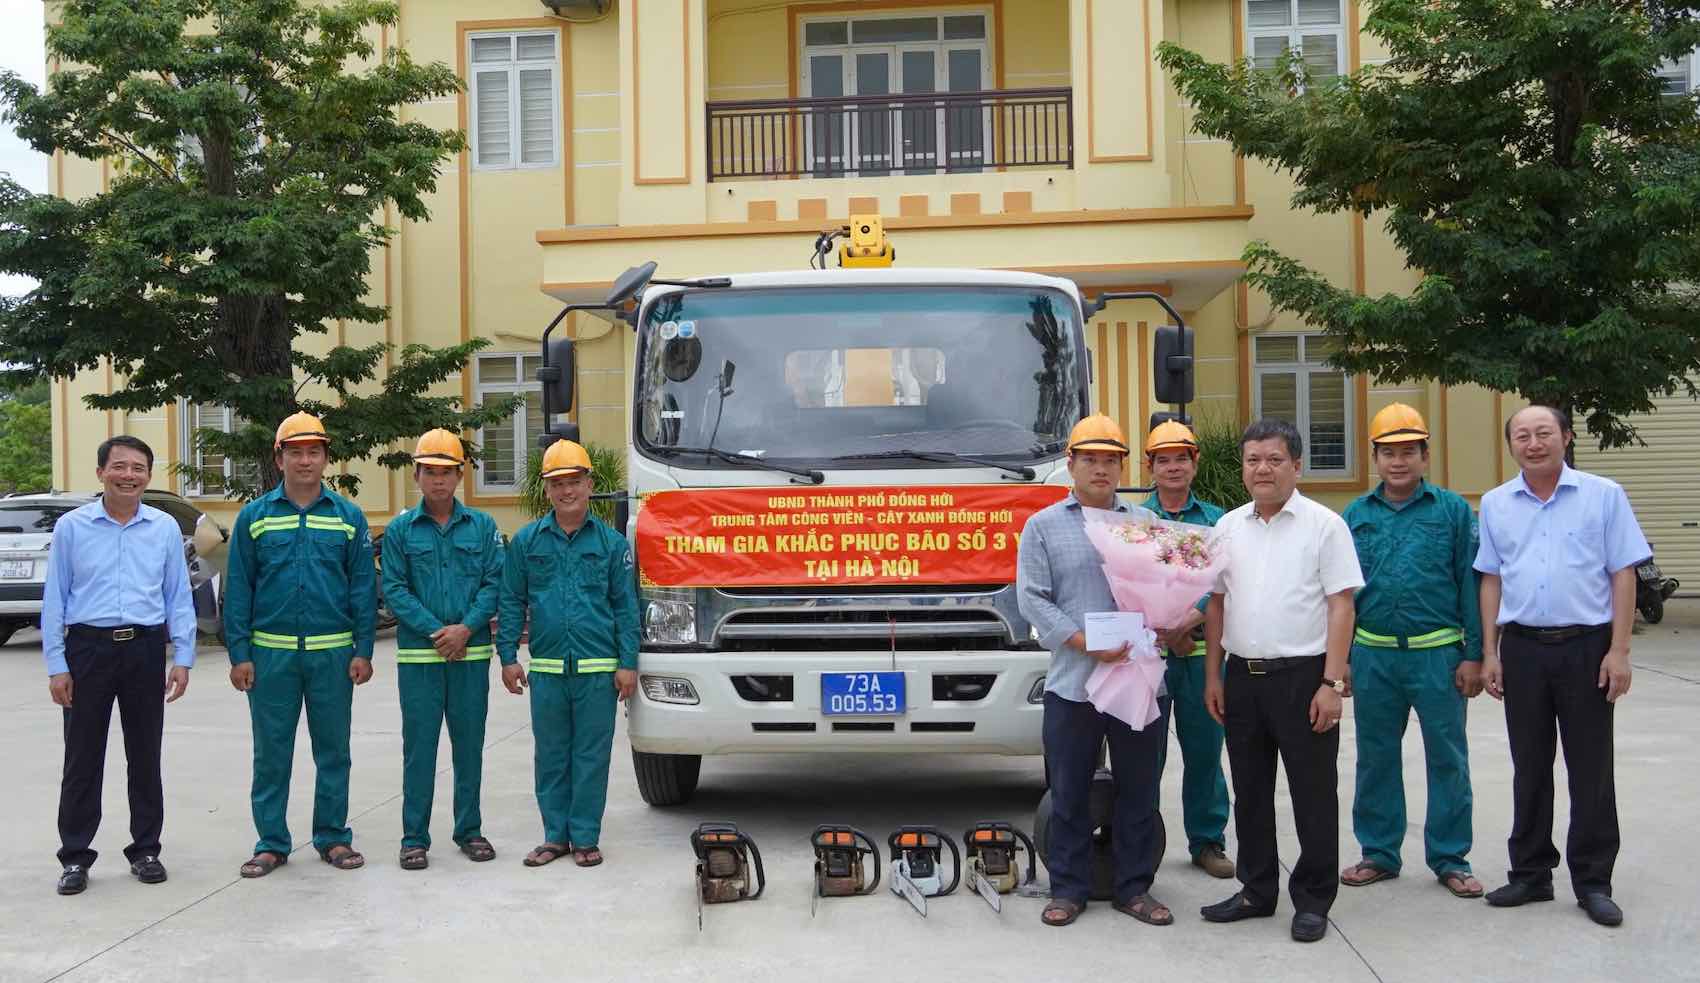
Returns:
(516, 98)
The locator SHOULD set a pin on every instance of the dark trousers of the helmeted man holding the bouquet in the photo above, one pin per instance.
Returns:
(1075, 734)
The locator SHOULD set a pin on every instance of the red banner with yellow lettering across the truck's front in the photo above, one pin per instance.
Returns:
(830, 537)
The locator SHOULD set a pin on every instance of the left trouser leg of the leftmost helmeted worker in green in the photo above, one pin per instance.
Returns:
(275, 712)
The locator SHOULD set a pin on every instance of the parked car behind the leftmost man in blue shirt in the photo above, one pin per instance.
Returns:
(26, 533)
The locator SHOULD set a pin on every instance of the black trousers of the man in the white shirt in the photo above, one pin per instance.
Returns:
(1271, 715)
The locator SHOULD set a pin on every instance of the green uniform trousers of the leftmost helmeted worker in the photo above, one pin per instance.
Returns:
(283, 683)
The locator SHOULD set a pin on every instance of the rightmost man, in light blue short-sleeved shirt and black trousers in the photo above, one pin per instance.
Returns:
(1558, 598)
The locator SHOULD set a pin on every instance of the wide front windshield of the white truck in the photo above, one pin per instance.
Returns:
(830, 375)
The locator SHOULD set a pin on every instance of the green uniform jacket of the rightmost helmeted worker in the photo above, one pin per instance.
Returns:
(1417, 565)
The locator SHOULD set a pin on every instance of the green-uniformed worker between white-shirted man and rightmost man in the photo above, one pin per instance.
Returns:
(1417, 647)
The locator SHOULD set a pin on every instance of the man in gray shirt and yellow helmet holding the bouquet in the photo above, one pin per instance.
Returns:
(1060, 579)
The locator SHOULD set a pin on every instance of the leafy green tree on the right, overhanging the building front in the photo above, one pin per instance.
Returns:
(1527, 164)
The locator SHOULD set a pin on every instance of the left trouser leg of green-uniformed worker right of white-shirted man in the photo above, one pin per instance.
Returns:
(1380, 712)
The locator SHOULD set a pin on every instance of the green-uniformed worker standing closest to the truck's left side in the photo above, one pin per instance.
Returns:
(575, 577)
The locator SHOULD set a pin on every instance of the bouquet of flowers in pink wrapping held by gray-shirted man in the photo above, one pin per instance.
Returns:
(1159, 569)
